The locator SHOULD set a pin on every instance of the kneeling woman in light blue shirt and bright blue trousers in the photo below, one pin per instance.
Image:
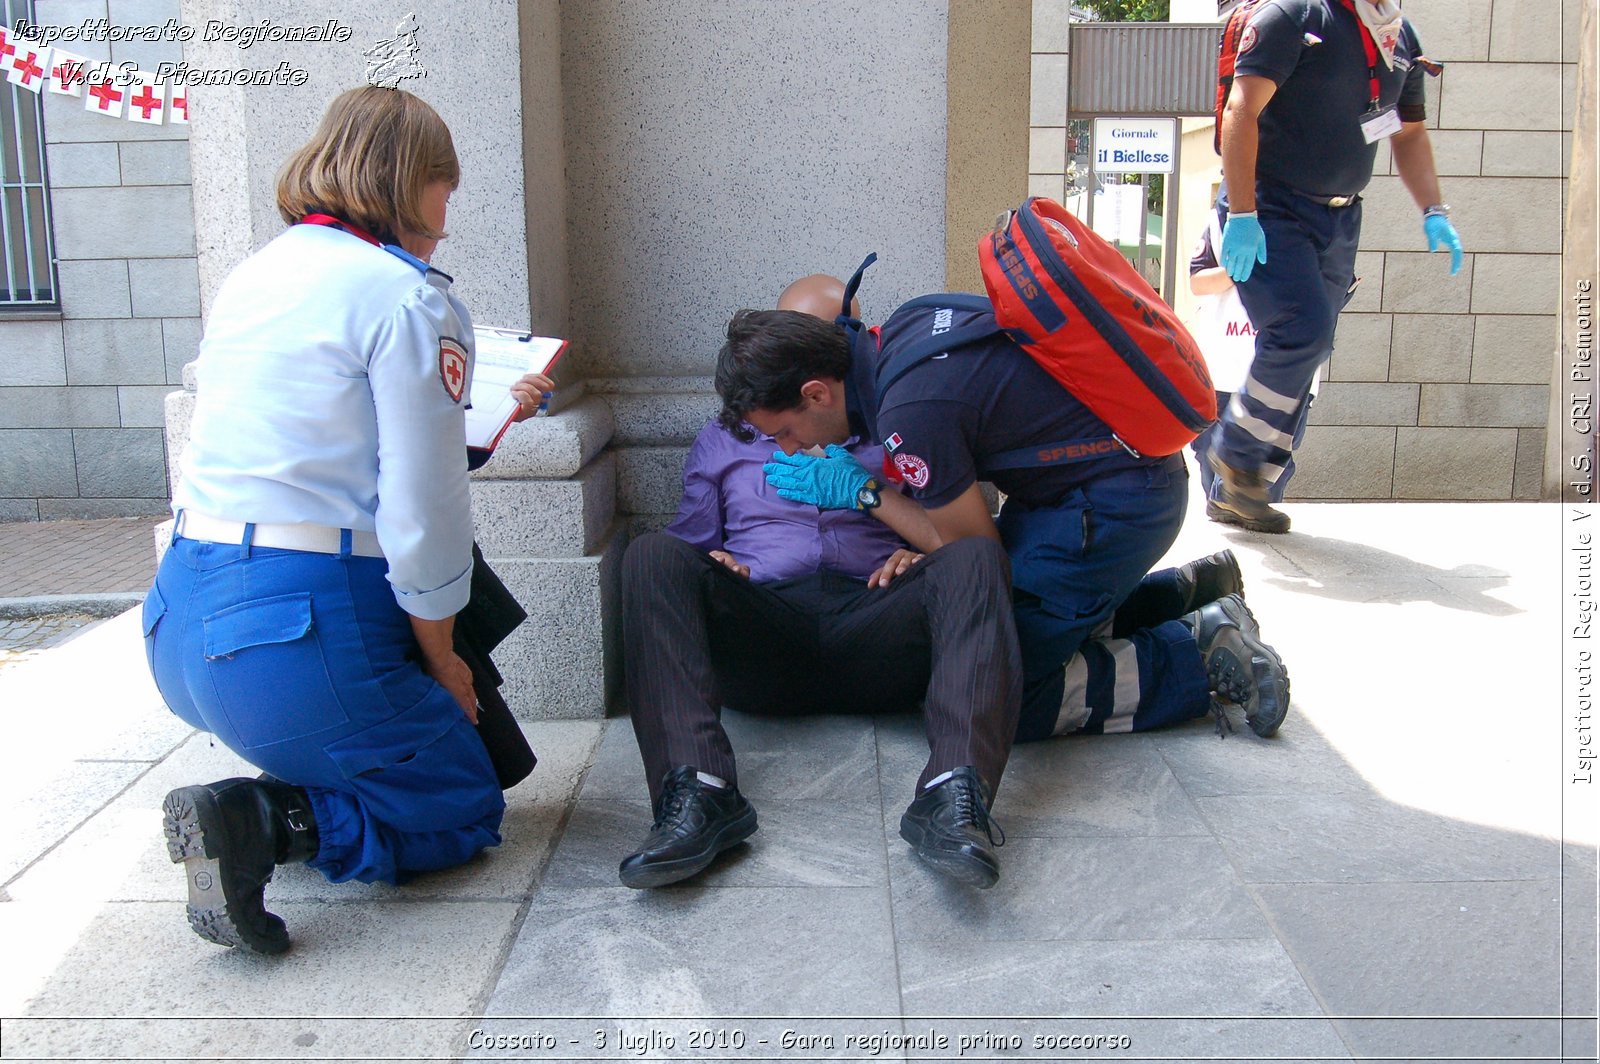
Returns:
(324, 535)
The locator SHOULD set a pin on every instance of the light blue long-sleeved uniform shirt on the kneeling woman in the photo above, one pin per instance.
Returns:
(322, 399)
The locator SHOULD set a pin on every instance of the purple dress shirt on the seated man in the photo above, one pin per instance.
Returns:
(729, 506)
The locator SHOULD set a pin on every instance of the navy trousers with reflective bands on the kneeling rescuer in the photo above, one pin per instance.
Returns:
(1073, 566)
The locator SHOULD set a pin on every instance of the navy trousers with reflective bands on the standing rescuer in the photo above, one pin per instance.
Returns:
(1294, 300)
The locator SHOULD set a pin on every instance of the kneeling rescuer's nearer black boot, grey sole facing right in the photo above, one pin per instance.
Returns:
(1239, 666)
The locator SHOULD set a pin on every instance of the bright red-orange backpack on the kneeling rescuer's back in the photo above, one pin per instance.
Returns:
(1079, 308)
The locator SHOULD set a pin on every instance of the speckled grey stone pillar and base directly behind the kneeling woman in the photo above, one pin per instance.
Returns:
(545, 506)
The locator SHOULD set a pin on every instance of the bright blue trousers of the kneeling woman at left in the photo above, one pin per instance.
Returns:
(300, 665)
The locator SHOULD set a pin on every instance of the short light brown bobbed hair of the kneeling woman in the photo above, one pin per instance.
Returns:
(369, 162)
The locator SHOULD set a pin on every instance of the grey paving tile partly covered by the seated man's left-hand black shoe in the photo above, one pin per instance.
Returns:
(799, 844)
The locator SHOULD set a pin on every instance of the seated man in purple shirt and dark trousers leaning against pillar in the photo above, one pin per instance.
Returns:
(775, 607)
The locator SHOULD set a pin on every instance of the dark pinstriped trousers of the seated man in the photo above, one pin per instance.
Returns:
(698, 638)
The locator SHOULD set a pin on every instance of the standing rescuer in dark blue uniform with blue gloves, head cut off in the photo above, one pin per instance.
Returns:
(1319, 84)
